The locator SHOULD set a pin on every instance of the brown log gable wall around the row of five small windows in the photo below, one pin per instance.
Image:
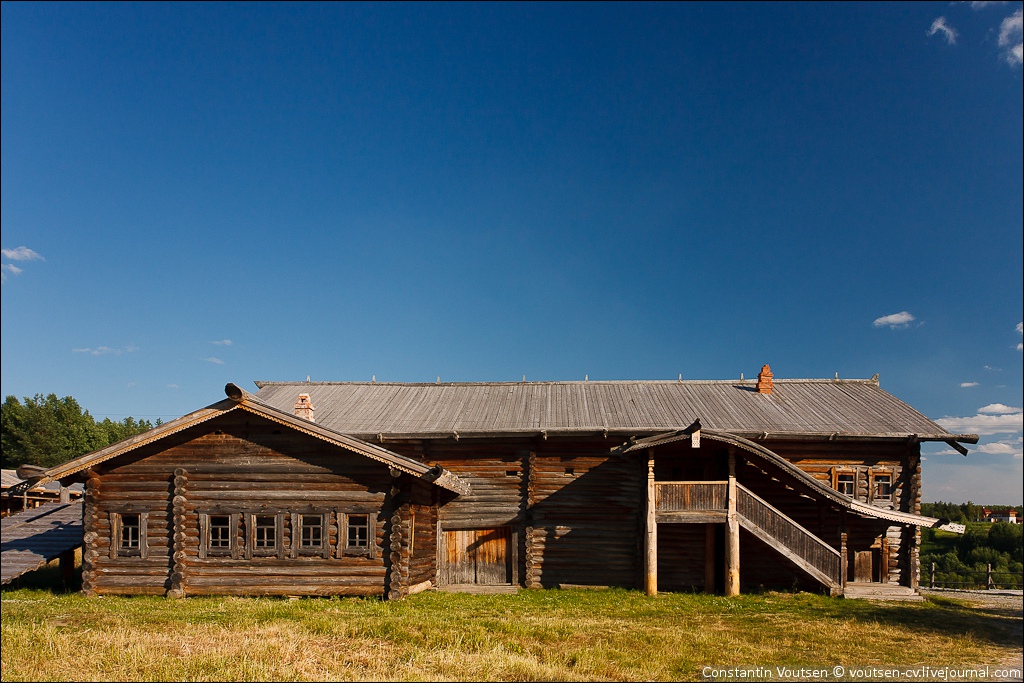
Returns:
(238, 465)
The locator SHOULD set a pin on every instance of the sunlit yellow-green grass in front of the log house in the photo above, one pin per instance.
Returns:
(536, 635)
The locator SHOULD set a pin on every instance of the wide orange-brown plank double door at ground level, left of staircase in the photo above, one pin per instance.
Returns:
(477, 557)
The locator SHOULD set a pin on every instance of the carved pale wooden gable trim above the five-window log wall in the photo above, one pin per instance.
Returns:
(238, 400)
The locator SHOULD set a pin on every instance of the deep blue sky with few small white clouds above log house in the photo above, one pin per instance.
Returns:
(194, 195)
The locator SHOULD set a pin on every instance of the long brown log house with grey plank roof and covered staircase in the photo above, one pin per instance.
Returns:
(387, 489)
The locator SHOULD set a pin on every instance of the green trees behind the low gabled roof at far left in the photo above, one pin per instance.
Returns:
(48, 431)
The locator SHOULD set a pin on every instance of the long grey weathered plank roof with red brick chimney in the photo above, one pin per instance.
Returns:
(827, 408)
